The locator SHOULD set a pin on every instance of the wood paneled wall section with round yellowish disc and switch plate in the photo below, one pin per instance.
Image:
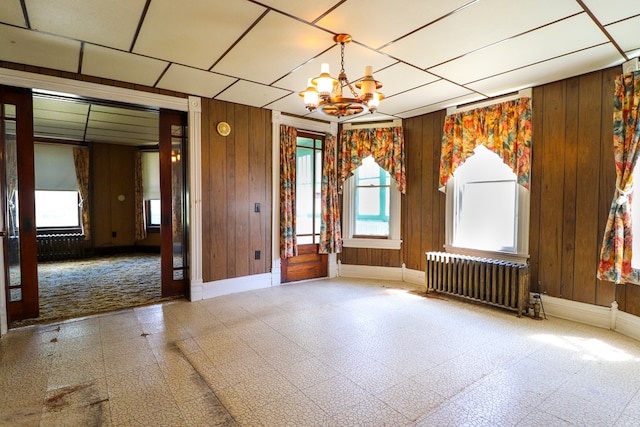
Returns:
(236, 174)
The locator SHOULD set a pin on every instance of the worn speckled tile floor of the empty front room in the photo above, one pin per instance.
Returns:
(327, 353)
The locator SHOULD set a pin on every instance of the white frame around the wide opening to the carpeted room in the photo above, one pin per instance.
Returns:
(191, 105)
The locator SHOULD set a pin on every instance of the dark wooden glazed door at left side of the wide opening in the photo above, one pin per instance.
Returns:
(18, 204)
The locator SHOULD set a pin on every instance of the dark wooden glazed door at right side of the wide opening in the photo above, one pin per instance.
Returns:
(173, 204)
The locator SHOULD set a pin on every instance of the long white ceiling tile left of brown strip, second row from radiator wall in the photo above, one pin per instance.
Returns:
(532, 47)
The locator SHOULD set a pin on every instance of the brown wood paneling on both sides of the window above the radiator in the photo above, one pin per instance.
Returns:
(572, 184)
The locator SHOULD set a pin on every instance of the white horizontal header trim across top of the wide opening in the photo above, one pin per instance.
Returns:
(91, 90)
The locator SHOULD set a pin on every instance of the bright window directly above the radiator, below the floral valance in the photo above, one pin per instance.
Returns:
(487, 211)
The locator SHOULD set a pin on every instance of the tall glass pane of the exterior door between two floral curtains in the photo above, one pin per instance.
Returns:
(308, 187)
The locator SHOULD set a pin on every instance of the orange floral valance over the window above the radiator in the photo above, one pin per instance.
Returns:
(504, 128)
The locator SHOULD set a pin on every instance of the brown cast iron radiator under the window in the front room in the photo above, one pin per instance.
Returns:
(494, 282)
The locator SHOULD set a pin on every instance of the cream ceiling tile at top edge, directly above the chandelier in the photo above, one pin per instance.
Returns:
(377, 22)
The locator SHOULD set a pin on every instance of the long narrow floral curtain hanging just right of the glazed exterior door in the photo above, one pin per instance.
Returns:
(330, 233)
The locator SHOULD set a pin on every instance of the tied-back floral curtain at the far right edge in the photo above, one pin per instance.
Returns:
(615, 255)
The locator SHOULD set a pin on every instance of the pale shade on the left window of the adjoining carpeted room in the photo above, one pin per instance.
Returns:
(54, 168)
